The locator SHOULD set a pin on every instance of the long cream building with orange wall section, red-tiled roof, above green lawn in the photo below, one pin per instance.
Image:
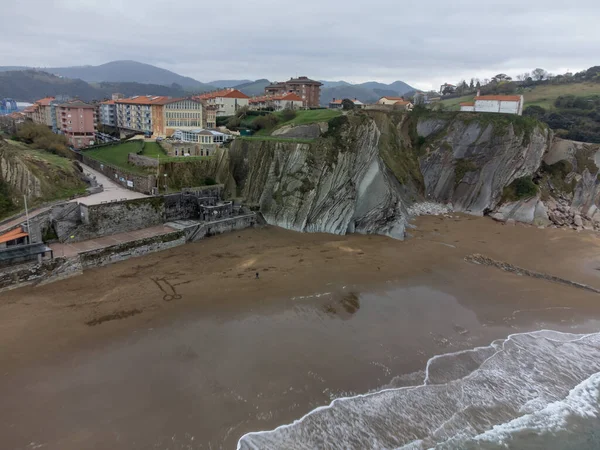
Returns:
(158, 115)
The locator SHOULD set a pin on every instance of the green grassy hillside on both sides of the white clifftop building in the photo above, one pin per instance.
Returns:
(543, 96)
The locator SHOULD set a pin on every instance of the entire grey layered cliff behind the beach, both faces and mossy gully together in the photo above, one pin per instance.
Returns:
(368, 168)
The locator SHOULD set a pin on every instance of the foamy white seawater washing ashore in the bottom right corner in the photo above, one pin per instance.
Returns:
(538, 390)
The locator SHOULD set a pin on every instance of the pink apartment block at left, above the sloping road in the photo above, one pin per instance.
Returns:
(77, 121)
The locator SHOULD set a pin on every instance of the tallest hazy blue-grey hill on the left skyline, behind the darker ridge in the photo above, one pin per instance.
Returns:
(127, 71)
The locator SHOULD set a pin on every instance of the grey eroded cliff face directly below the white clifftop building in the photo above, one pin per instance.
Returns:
(469, 162)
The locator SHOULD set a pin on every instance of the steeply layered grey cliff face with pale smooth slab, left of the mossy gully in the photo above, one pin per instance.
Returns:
(337, 184)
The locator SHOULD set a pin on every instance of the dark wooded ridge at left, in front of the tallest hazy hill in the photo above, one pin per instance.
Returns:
(31, 85)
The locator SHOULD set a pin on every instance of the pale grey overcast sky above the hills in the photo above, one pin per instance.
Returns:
(423, 43)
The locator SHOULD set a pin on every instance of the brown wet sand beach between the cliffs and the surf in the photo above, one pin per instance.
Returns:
(186, 349)
